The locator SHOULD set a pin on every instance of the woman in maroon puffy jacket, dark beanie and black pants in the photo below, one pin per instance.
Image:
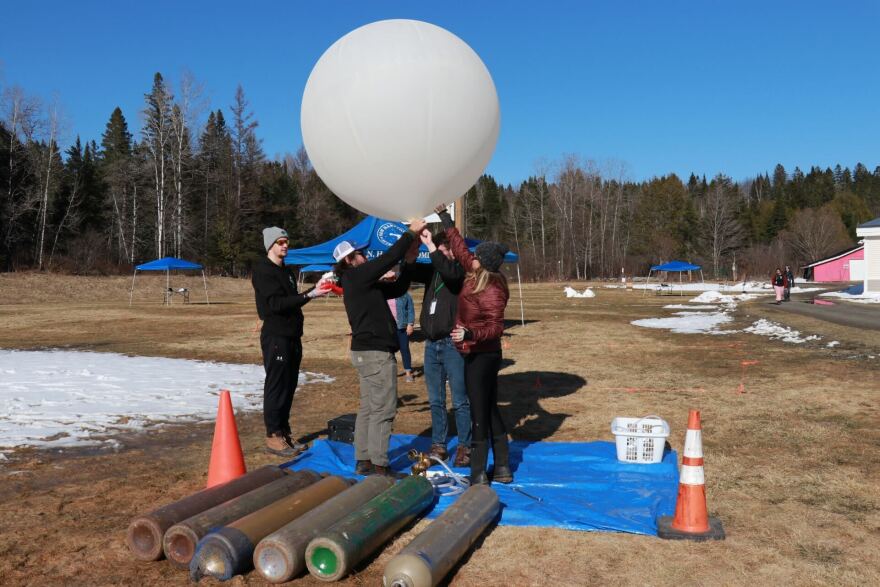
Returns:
(477, 335)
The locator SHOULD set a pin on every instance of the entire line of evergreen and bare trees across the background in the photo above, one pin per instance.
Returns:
(200, 187)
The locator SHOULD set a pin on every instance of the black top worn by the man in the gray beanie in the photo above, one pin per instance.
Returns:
(278, 303)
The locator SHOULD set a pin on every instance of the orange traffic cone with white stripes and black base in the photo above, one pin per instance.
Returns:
(691, 520)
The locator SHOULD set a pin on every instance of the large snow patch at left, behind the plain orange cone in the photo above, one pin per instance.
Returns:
(66, 398)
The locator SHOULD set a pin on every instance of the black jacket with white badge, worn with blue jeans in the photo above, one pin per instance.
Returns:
(443, 279)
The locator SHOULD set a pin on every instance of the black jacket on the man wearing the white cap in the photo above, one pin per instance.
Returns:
(373, 328)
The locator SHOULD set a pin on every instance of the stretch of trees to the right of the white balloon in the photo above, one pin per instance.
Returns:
(577, 219)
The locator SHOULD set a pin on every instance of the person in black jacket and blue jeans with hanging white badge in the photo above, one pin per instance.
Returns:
(443, 279)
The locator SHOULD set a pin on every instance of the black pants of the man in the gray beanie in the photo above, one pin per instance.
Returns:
(282, 356)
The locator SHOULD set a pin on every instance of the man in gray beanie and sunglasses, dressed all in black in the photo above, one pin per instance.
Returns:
(279, 306)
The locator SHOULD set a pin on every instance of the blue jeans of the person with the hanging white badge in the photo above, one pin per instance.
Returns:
(444, 363)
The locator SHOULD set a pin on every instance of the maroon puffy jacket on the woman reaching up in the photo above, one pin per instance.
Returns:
(481, 313)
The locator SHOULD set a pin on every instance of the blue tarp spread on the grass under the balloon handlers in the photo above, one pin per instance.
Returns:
(570, 485)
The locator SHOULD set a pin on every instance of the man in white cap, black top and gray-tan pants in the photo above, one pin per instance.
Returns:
(374, 341)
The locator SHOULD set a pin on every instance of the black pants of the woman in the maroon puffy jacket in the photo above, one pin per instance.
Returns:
(481, 383)
